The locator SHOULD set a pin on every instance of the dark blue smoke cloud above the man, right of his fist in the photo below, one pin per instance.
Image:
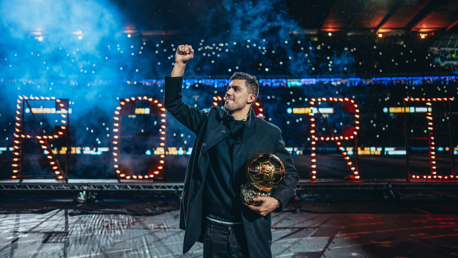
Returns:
(263, 32)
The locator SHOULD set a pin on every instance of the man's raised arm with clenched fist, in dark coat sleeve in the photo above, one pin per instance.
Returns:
(191, 117)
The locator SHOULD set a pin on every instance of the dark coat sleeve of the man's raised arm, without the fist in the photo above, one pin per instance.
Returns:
(191, 117)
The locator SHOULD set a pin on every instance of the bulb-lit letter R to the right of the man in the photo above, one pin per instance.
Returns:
(335, 138)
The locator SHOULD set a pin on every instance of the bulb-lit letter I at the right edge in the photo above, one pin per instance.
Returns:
(432, 145)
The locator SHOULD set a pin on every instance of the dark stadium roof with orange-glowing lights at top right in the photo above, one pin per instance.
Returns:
(377, 16)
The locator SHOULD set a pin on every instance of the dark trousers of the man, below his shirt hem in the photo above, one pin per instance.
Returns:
(224, 240)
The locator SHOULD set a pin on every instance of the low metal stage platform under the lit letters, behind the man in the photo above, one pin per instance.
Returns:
(303, 185)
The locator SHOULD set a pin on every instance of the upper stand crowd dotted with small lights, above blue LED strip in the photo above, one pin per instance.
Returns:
(321, 57)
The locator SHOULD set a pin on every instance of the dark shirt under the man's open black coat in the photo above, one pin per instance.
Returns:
(221, 194)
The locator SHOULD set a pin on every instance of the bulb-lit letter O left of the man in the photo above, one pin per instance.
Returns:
(117, 138)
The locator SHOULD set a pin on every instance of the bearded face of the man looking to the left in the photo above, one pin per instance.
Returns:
(236, 96)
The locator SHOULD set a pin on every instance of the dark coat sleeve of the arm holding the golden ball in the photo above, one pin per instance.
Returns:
(287, 187)
